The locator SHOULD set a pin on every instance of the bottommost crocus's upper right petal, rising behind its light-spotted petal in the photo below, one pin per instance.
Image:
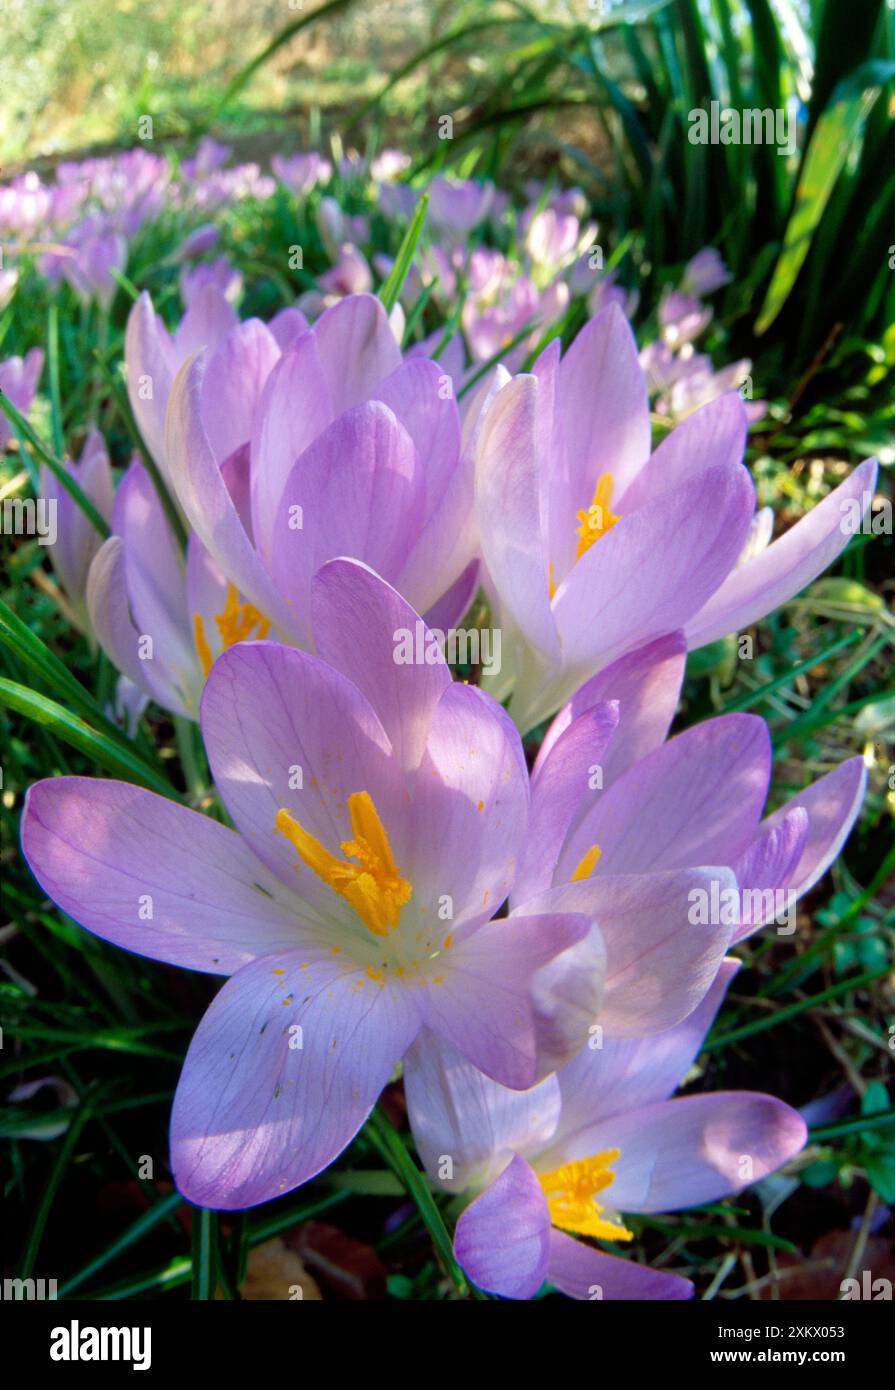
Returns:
(618, 1075)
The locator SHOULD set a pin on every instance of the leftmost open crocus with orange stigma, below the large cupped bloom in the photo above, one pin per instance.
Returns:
(161, 618)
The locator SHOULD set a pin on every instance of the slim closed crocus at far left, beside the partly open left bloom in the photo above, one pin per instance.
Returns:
(77, 540)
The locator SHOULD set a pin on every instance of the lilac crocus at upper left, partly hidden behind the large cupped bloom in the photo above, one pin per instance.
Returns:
(240, 359)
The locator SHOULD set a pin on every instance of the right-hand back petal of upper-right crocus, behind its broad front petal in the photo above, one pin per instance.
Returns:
(715, 434)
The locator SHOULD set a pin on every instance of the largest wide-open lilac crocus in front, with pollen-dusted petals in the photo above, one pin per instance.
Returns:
(380, 814)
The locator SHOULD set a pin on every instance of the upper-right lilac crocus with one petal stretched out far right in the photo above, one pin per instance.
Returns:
(596, 547)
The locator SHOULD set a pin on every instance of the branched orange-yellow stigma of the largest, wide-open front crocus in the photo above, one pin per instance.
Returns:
(373, 886)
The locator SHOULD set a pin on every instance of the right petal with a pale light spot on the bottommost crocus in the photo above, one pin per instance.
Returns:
(694, 1150)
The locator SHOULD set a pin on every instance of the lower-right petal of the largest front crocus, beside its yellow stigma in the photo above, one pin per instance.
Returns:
(486, 1003)
